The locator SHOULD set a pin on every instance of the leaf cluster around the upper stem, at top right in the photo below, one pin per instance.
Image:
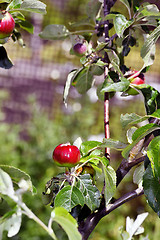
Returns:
(142, 19)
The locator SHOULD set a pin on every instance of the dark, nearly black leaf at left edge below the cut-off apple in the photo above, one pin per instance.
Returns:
(5, 62)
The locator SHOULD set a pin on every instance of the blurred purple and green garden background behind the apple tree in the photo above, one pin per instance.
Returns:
(34, 119)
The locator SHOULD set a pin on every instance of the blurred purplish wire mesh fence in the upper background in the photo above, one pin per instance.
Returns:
(42, 65)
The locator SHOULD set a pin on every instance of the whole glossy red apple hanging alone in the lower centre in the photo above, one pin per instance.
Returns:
(66, 155)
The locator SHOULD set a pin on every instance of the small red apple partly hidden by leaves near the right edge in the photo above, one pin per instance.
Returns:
(137, 79)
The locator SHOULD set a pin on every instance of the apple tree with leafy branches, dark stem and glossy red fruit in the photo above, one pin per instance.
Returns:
(102, 42)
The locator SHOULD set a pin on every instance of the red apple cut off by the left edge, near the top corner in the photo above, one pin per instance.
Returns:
(7, 24)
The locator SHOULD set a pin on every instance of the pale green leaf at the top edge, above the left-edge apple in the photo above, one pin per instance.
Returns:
(33, 6)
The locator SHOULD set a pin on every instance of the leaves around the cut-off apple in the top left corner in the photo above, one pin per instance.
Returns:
(16, 8)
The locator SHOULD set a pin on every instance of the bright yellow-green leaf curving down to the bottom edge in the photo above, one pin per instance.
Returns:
(67, 222)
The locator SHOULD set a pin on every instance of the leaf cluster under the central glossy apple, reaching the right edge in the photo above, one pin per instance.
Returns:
(75, 188)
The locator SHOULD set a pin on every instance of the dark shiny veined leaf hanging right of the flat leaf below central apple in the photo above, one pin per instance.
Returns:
(90, 191)
